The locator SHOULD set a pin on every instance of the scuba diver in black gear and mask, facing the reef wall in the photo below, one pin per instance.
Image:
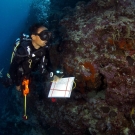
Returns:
(29, 55)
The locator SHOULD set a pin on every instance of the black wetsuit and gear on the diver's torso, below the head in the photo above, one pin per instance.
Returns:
(24, 61)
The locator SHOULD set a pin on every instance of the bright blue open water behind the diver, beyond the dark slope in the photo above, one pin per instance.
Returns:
(13, 18)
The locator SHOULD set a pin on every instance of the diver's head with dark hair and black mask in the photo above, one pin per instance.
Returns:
(39, 35)
